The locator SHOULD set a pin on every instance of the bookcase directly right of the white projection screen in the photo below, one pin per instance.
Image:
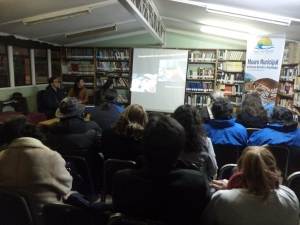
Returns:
(200, 77)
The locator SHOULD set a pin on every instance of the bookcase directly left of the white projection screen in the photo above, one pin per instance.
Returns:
(115, 64)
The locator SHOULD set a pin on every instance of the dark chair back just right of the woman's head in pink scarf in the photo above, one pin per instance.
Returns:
(281, 154)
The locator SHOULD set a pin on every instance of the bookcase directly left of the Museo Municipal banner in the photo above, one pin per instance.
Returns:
(230, 74)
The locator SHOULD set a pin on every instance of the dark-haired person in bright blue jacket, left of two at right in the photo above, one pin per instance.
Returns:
(223, 130)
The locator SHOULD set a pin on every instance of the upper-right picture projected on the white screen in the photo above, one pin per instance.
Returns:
(171, 70)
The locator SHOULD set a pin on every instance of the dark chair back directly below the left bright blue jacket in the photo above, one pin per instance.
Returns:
(226, 154)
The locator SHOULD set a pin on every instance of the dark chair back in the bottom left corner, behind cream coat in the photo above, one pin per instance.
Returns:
(14, 209)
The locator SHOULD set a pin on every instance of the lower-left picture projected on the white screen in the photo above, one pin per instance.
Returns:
(144, 83)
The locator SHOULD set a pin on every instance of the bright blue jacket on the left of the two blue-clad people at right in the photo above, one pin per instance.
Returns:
(226, 132)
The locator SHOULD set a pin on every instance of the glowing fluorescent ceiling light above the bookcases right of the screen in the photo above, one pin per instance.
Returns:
(225, 33)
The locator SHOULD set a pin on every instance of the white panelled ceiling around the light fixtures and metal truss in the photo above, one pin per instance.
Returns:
(177, 17)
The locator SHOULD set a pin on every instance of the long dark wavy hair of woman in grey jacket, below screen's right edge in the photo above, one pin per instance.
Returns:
(189, 117)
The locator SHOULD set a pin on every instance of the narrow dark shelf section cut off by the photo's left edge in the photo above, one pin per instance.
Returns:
(4, 72)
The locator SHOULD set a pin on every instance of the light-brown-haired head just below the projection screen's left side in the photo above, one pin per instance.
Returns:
(131, 122)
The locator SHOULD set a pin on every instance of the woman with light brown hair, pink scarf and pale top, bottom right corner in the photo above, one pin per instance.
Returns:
(254, 195)
